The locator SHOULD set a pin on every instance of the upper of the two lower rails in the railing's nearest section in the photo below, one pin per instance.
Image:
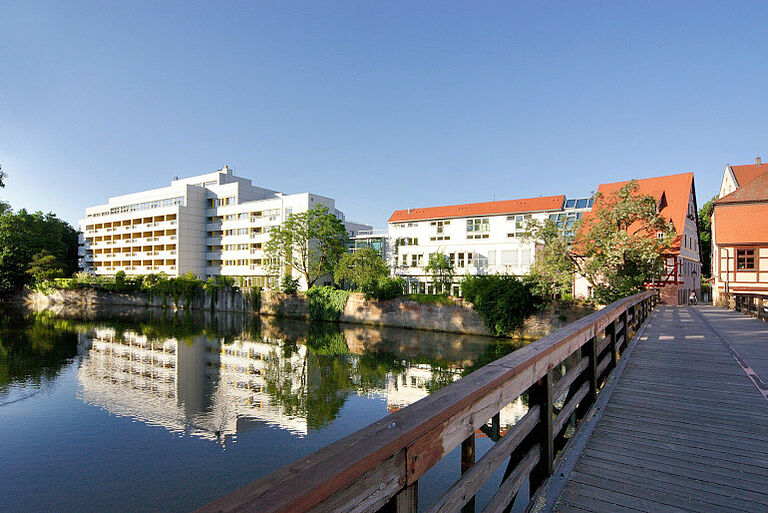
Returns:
(469, 484)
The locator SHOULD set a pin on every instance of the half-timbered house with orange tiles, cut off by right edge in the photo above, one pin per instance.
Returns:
(740, 233)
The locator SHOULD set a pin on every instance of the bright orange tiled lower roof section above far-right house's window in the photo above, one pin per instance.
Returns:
(741, 224)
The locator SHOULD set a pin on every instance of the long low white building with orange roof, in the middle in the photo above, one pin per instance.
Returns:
(478, 238)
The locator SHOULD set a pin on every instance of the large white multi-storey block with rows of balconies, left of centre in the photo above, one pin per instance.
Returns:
(211, 225)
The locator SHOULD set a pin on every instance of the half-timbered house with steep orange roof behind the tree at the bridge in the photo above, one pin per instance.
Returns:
(676, 199)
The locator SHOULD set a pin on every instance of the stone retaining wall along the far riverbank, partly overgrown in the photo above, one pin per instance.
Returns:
(457, 316)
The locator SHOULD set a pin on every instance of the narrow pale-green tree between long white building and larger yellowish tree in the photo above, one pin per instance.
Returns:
(553, 268)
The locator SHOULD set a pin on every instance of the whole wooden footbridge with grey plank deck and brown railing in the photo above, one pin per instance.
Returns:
(633, 408)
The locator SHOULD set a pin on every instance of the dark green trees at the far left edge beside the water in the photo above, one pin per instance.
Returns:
(24, 235)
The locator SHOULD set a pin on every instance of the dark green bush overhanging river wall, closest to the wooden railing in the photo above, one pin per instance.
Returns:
(502, 301)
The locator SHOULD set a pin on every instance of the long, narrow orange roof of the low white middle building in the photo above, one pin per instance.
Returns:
(480, 209)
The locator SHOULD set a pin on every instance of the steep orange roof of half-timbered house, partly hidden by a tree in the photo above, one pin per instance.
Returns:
(675, 189)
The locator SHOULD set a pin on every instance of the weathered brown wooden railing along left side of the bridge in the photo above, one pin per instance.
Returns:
(378, 467)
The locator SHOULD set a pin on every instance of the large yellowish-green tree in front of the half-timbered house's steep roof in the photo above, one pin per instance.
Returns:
(620, 247)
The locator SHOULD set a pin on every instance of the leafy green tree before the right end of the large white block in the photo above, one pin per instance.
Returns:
(310, 242)
